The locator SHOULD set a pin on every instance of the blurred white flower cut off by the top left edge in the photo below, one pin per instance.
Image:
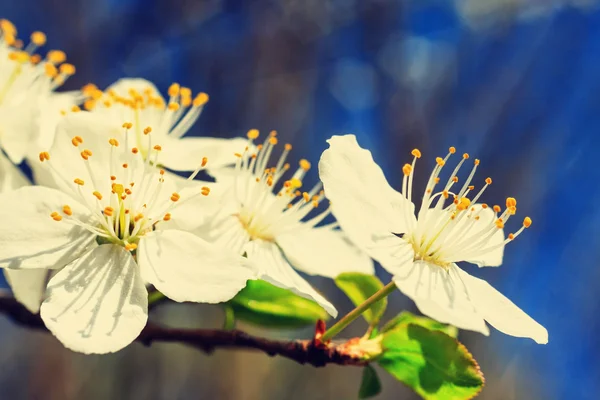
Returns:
(29, 108)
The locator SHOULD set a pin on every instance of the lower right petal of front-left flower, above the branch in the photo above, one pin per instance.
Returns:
(186, 268)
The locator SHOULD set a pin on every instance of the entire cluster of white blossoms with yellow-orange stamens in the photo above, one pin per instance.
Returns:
(116, 206)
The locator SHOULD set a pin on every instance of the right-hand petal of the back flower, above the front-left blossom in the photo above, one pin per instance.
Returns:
(186, 154)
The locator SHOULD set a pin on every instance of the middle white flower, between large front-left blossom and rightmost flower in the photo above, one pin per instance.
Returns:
(275, 224)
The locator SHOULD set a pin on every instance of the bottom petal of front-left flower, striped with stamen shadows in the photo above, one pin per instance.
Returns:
(98, 303)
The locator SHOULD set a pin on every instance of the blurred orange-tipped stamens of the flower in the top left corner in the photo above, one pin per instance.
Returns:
(29, 73)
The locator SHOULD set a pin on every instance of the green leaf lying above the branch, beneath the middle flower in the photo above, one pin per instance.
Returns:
(266, 305)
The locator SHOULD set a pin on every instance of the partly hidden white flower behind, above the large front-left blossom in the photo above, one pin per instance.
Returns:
(138, 100)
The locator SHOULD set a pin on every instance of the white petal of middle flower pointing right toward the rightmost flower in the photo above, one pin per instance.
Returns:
(322, 251)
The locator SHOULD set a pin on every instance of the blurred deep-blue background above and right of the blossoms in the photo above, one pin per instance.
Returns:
(523, 97)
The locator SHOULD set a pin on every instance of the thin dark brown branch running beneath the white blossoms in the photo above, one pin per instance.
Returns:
(207, 340)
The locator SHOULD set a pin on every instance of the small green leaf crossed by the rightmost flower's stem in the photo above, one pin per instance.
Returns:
(359, 287)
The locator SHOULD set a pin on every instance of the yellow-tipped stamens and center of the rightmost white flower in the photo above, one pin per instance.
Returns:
(451, 226)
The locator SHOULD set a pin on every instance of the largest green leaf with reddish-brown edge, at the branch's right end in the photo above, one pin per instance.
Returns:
(434, 364)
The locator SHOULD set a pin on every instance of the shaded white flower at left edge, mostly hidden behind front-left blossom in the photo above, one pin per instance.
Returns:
(27, 286)
